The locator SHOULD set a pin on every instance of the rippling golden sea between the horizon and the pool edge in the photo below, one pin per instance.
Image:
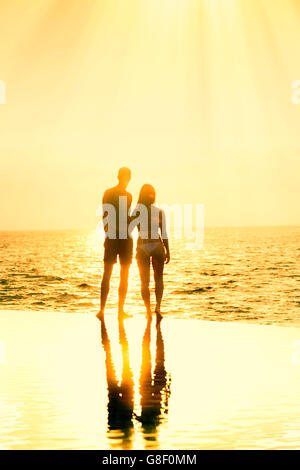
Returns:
(248, 274)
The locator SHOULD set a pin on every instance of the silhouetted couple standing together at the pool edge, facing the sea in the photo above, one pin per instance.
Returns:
(152, 244)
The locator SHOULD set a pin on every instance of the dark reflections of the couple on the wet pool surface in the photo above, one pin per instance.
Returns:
(154, 388)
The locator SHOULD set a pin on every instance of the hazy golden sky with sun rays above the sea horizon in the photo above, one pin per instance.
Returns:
(193, 95)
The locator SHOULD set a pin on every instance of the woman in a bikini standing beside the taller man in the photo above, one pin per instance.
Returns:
(152, 247)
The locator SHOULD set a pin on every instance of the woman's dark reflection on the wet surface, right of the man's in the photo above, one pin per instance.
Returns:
(154, 391)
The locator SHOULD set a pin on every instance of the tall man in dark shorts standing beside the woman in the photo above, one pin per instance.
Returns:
(117, 241)
